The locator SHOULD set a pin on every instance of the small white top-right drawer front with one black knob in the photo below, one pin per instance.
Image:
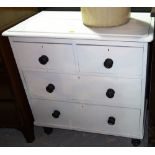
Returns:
(110, 60)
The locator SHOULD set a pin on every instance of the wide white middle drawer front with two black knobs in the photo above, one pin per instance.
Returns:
(85, 89)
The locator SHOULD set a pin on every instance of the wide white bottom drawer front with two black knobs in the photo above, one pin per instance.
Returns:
(99, 119)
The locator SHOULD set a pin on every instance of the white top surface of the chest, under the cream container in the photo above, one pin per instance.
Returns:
(64, 24)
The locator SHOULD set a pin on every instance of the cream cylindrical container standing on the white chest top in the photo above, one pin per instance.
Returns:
(105, 16)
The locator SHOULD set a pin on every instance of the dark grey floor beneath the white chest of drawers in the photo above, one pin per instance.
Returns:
(65, 138)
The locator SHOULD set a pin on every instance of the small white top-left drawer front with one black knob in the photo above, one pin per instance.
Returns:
(57, 57)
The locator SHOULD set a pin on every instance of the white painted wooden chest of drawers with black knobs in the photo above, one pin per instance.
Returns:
(82, 78)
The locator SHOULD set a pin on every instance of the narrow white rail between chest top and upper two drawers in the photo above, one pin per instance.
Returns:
(77, 41)
